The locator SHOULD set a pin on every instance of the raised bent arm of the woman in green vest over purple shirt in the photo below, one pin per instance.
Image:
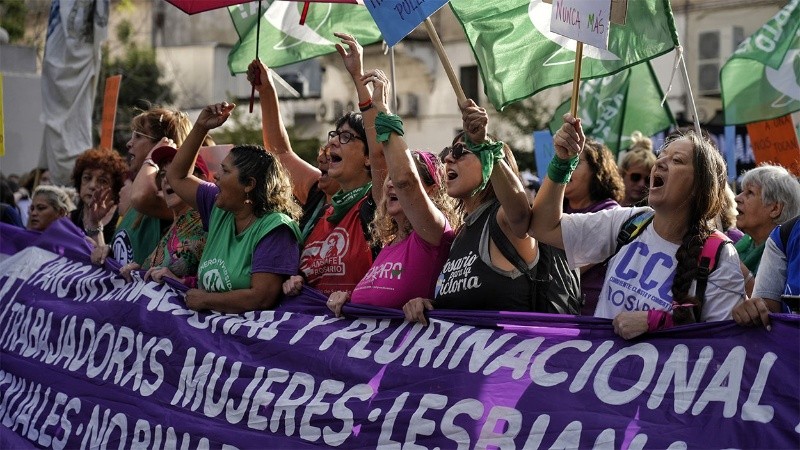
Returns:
(179, 173)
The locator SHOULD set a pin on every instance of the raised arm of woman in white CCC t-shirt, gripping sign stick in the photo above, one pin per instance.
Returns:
(549, 202)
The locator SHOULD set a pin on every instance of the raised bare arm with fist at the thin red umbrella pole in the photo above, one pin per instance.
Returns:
(276, 138)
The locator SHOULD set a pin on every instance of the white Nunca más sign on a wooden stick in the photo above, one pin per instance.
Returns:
(585, 21)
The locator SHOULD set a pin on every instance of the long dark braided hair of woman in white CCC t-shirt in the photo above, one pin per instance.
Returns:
(706, 203)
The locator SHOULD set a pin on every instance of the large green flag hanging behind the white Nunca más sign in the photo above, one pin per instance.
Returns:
(518, 55)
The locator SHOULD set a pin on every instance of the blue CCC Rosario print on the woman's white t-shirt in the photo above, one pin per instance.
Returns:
(641, 279)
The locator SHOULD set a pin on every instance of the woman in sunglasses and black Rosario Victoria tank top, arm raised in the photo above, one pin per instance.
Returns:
(482, 177)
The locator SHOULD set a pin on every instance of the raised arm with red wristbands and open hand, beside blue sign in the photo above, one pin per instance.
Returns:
(352, 57)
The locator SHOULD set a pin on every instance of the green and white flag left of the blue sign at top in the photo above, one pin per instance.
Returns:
(284, 41)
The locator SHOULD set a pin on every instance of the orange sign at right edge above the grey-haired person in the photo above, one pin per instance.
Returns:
(775, 141)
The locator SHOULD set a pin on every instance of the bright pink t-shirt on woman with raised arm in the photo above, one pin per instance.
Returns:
(403, 271)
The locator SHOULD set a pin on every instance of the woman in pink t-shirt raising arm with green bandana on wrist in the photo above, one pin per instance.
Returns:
(413, 222)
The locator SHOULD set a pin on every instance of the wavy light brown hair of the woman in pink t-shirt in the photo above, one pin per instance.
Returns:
(384, 229)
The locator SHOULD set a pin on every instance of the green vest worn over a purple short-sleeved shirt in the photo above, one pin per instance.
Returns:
(227, 259)
